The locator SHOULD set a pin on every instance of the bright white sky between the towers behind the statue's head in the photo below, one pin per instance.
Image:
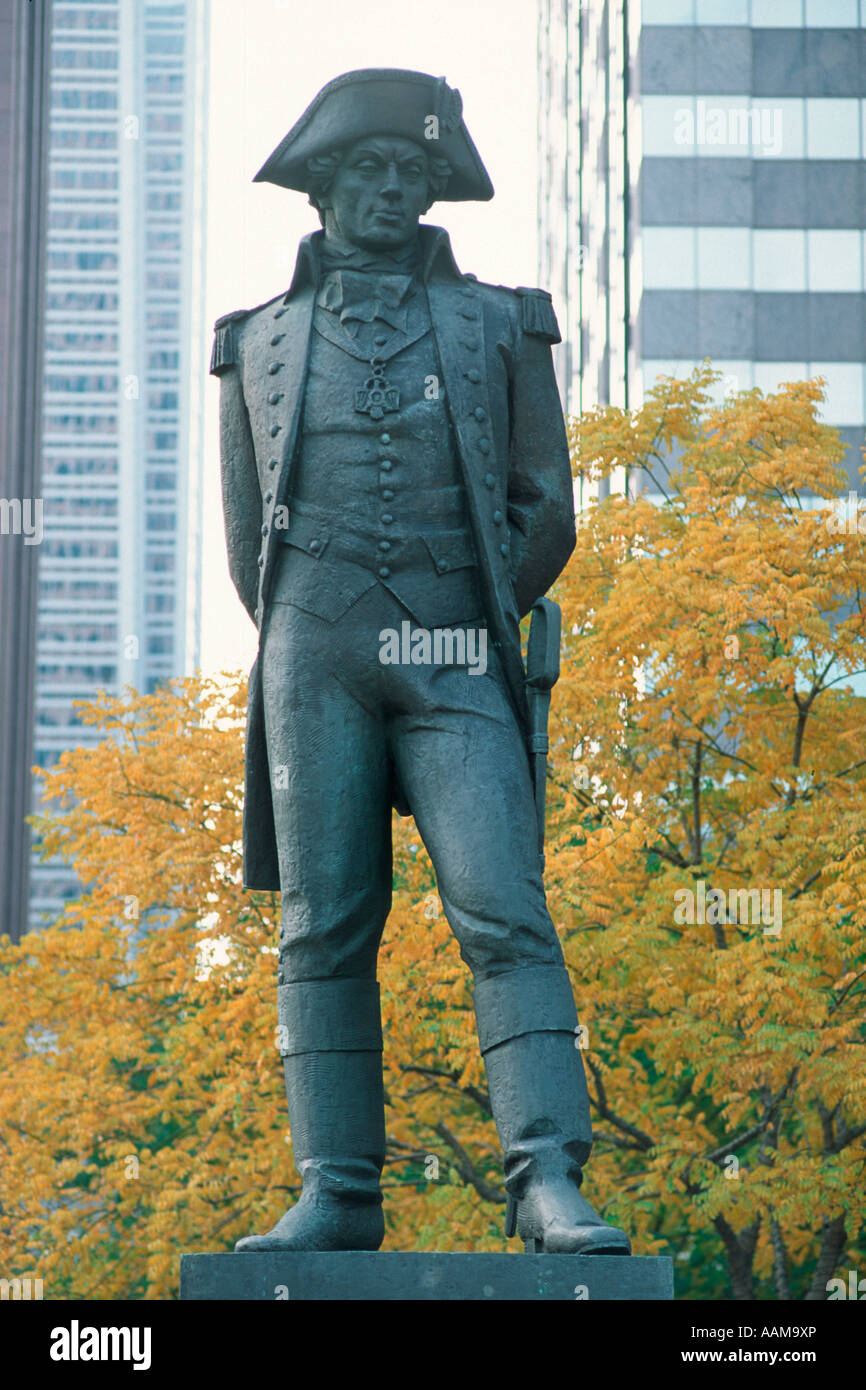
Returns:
(269, 60)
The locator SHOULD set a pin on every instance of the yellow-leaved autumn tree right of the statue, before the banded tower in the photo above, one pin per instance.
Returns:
(710, 835)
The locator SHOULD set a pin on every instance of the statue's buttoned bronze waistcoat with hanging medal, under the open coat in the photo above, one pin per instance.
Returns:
(377, 494)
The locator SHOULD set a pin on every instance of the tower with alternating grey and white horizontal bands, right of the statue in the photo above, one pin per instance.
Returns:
(704, 195)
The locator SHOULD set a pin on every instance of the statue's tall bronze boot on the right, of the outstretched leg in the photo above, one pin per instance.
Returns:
(539, 1095)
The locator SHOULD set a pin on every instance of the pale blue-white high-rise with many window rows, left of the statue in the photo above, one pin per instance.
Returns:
(124, 365)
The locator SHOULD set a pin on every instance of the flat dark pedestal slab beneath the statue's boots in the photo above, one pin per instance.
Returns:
(416, 1277)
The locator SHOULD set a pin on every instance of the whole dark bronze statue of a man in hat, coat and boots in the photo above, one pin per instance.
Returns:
(395, 462)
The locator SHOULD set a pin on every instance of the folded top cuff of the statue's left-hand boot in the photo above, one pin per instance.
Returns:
(330, 1017)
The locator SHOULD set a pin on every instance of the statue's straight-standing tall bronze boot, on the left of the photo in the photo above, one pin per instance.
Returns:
(332, 1039)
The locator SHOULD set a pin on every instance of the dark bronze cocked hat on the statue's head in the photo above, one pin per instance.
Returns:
(383, 102)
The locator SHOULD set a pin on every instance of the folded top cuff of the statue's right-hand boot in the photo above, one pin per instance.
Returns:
(533, 1000)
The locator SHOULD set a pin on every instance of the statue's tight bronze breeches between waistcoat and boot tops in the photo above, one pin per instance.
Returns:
(340, 725)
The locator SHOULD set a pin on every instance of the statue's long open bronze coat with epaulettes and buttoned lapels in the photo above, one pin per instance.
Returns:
(500, 389)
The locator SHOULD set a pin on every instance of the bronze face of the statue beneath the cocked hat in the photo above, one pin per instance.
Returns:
(380, 191)
